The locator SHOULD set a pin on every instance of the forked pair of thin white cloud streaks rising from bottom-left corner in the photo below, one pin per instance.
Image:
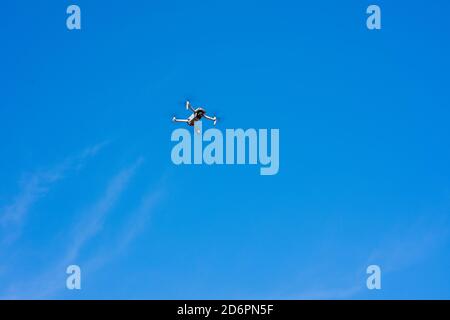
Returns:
(49, 283)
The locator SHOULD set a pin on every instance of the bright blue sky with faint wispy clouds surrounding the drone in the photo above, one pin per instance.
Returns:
(85, 150)
